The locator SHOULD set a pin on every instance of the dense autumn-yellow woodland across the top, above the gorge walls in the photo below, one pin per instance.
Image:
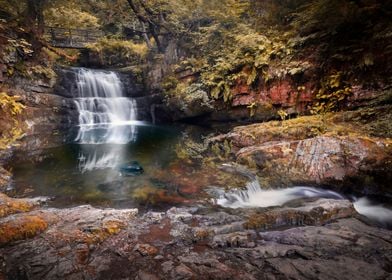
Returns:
(333, 44)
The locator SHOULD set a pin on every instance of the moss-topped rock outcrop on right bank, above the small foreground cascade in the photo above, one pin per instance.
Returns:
(331, 150)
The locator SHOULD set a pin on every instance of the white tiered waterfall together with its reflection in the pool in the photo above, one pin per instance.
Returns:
(107, 120)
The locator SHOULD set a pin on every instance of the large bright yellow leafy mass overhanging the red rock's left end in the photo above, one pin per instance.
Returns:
(249, 50)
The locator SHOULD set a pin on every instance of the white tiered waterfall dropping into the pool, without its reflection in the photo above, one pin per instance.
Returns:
(105, 114)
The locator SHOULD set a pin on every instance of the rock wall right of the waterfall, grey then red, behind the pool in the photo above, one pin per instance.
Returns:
(263, 100)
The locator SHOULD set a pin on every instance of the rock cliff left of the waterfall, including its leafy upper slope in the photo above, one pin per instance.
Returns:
(27, 76)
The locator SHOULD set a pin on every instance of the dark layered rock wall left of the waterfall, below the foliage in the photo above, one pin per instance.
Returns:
(44, 116)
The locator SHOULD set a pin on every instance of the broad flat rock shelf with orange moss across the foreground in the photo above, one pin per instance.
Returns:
(323, 239)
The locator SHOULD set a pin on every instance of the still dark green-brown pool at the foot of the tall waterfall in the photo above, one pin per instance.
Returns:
(74, 174)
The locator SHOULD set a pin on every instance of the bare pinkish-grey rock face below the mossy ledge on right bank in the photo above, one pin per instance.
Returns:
(317, 160)
